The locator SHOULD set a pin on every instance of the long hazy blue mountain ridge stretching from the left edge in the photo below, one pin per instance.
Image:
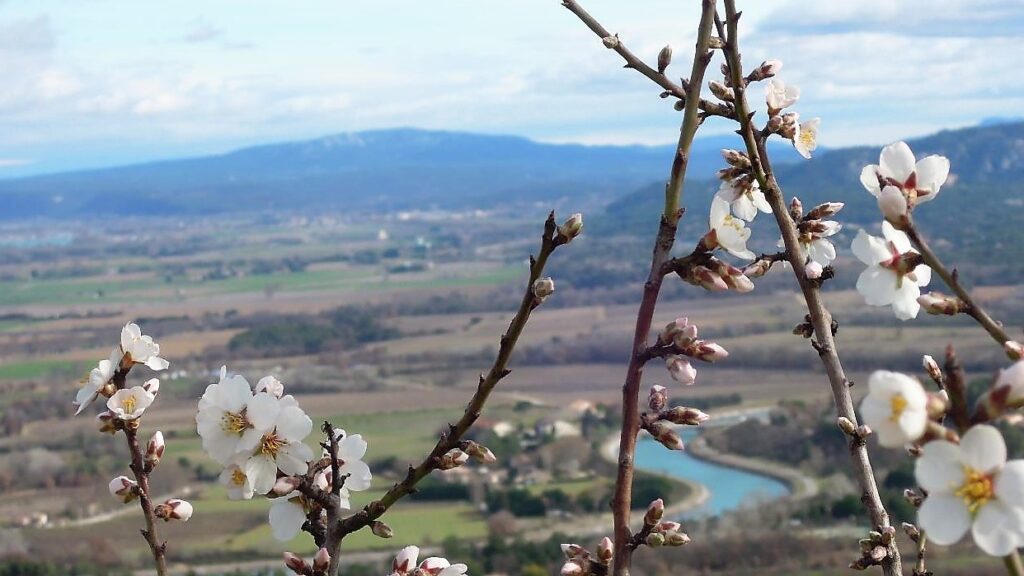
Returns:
(375, 171)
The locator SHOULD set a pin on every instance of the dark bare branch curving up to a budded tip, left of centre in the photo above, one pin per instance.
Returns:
(451, 439)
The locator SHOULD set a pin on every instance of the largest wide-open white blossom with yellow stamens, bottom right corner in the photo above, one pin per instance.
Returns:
(972, 486)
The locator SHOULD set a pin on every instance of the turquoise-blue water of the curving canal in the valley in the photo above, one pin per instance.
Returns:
(730, 488)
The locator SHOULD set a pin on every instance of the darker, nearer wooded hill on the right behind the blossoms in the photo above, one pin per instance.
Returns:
(977, 216)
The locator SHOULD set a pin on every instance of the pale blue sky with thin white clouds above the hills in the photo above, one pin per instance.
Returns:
(90, 84)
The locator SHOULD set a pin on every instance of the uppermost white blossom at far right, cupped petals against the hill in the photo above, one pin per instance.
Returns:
(920, 181)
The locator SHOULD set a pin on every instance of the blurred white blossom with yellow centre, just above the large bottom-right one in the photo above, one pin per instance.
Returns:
(895, 408)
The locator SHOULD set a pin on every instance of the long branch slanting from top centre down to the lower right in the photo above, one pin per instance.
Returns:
(821, 317)
